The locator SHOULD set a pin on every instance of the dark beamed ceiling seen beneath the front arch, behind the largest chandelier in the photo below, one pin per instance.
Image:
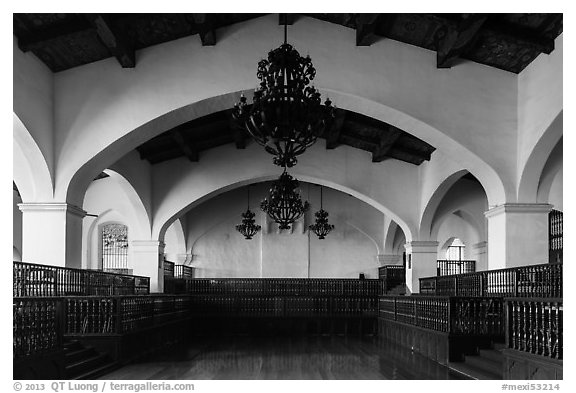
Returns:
(353, 129)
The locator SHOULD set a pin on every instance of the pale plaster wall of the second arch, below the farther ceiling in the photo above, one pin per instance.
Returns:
(390, 186)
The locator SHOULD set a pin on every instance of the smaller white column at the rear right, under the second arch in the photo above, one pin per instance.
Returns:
(421, 259)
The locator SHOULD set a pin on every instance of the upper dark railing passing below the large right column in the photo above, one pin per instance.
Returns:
(526, 281)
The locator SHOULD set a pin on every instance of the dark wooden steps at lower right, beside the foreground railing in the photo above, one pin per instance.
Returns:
(487, 364)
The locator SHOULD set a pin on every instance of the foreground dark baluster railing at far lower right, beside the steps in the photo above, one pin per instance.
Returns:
(535, 326)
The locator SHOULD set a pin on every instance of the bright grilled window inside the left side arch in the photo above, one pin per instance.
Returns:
(114, 240)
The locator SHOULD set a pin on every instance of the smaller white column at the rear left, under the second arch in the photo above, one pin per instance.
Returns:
(149, 262)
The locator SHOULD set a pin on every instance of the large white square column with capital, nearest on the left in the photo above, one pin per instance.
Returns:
(52, 234)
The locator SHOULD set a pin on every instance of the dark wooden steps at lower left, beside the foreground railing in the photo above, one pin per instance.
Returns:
(85, 362)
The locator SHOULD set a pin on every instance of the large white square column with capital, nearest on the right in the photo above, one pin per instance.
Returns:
(517, 234)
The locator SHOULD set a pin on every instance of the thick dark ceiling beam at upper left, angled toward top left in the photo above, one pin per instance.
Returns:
(114, 39)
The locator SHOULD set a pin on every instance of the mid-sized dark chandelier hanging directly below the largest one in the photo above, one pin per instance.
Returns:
(284, 205)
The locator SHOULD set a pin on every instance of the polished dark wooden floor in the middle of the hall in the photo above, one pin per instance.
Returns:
(277, 358)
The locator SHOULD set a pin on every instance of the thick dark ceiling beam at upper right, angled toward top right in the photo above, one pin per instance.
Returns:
(458, 39)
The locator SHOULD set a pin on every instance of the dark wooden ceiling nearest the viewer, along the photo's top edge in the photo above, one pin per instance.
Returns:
(505, 41)
